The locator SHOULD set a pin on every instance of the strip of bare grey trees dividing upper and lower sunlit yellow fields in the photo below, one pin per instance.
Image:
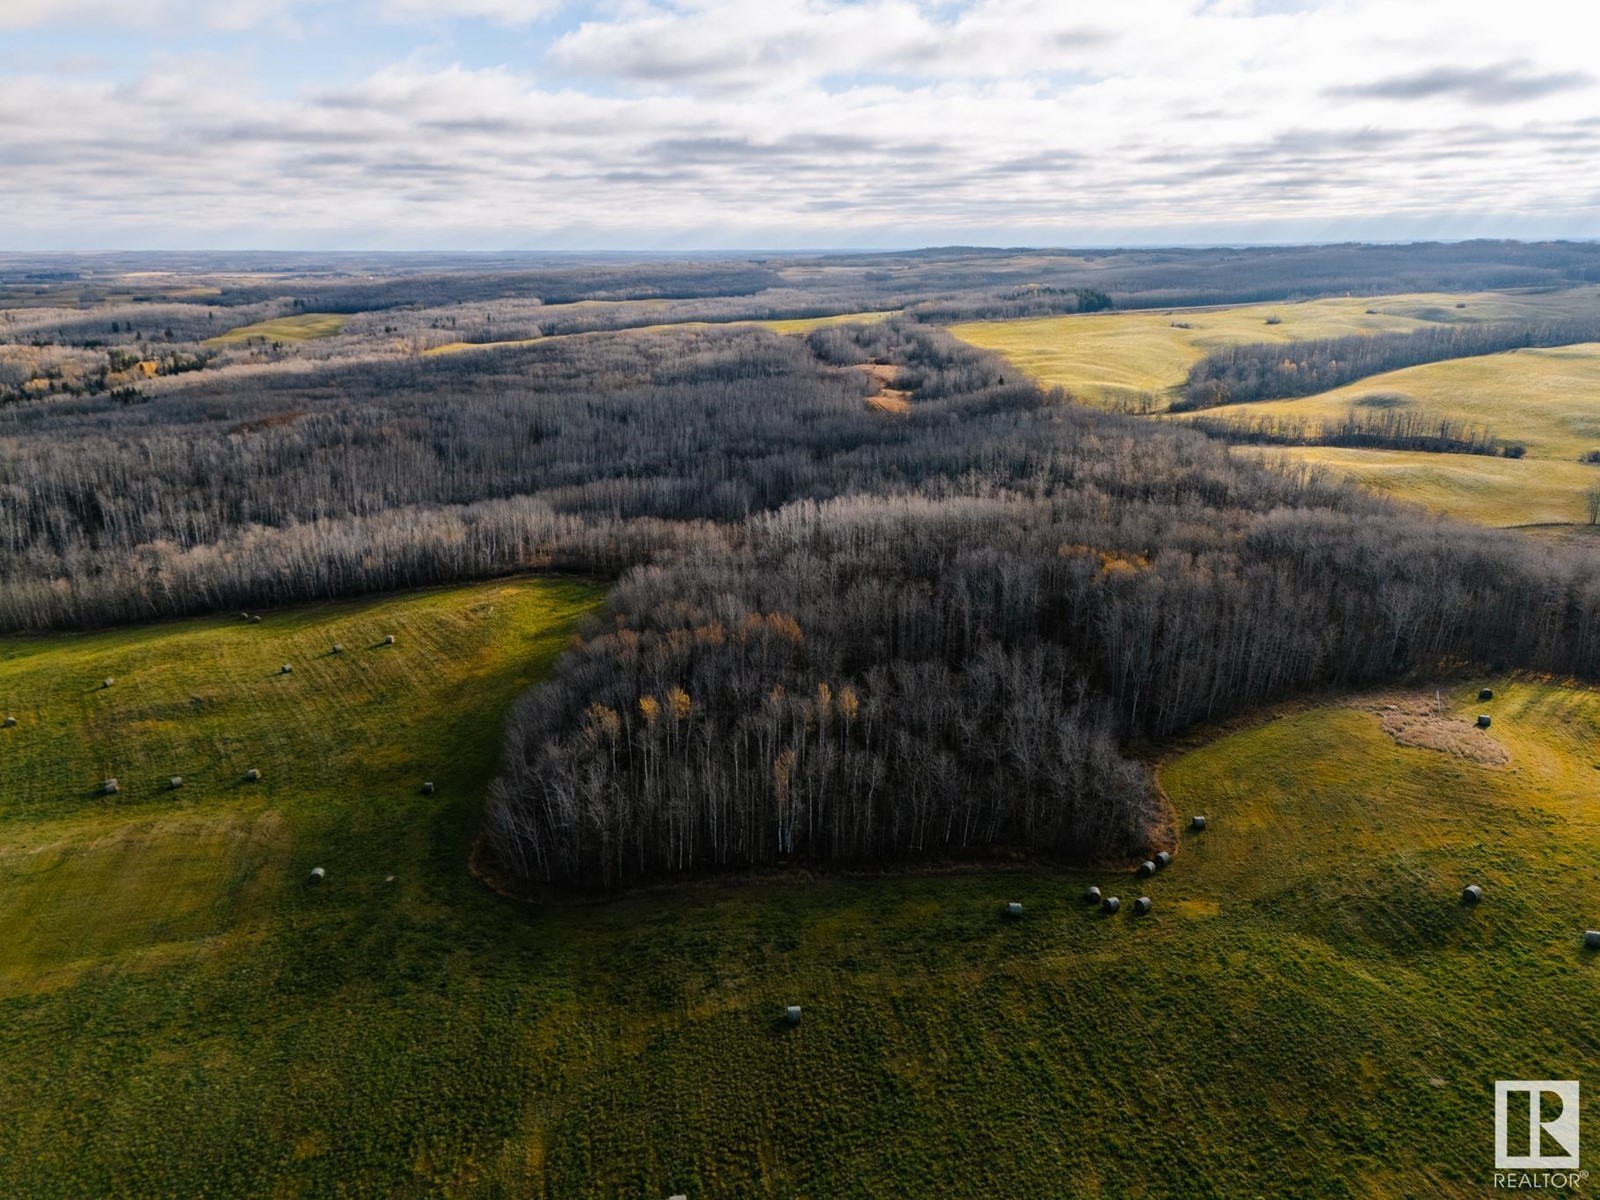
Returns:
(1281, 370)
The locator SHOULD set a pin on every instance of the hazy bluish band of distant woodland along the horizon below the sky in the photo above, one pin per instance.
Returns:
(935, 286)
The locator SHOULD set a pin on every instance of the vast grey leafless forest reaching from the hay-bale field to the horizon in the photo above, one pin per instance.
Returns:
(839, 634)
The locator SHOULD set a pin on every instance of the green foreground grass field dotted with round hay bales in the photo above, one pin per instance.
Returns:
(1308, 1012)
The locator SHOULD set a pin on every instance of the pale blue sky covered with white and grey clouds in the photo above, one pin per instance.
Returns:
(786, 124)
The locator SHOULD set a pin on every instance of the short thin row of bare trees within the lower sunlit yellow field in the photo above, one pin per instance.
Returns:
(1364, 431)
